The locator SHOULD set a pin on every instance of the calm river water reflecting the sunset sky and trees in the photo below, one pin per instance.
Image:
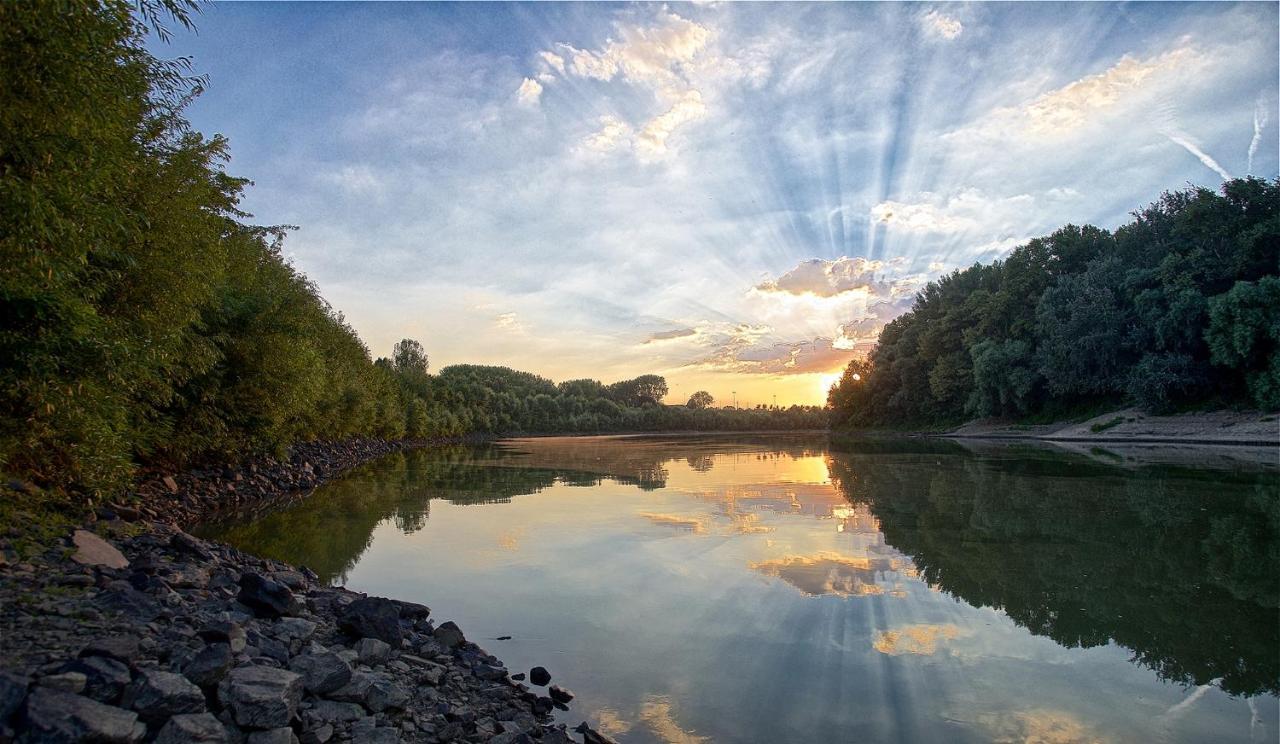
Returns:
(783, 590)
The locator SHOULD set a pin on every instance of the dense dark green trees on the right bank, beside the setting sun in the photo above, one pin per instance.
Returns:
(1178, 308)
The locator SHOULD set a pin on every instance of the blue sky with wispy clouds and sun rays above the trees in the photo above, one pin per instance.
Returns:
(735, 197)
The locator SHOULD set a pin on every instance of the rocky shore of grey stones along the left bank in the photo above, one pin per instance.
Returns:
(134, 631)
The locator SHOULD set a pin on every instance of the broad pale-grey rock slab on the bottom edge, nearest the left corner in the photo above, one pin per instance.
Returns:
(57, 716)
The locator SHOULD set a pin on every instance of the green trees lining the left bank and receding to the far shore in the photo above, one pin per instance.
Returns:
(144, 321)
